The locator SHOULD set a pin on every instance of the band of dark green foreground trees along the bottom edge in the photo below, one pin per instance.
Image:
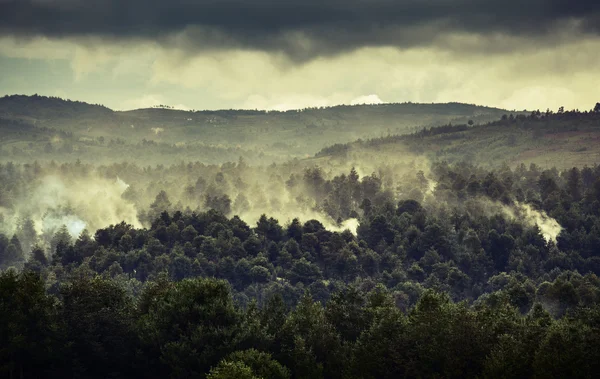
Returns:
(193, 328)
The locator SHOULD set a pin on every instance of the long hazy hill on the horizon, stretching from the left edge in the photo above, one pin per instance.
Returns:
(265, 135)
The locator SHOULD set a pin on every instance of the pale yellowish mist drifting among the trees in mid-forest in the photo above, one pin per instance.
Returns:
(329, 190)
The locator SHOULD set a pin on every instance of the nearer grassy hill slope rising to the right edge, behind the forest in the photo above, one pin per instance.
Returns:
(563, 140)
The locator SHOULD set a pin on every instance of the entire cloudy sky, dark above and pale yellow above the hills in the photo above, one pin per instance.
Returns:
(281, 54)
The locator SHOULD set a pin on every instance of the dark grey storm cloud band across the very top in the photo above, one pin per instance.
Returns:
(301, 28)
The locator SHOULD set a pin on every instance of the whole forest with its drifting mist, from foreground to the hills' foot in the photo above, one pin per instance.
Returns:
(354, 263)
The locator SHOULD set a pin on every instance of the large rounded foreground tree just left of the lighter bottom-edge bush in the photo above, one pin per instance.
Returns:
(189, 326)
